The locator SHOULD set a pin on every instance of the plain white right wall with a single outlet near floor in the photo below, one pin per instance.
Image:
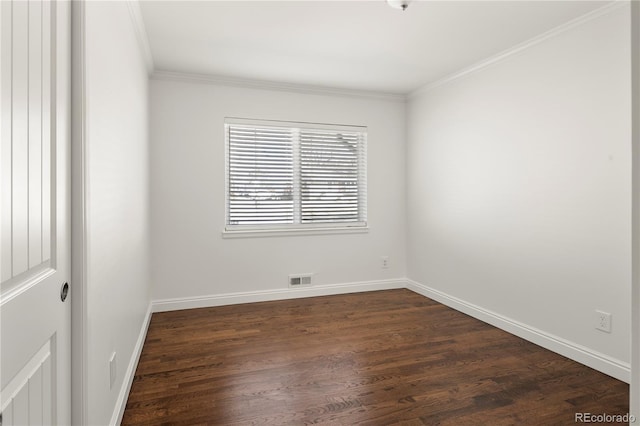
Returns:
(519, 180)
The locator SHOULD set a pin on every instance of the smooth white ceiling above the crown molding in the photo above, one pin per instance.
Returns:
(358, 44)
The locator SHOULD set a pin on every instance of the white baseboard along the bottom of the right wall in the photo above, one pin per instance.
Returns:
(598, 361)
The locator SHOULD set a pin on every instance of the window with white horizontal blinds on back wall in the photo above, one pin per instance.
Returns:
(288, 176)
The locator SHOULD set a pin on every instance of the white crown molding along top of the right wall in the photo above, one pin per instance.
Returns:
(518, 48)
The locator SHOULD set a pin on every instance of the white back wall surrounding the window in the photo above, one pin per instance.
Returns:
(190, 258)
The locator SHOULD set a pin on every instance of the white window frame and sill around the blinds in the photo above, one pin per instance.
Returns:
(337, 227)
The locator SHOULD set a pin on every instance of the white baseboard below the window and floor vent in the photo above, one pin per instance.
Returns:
(275, 294)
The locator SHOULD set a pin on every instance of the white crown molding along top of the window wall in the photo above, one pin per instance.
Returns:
(218, 80)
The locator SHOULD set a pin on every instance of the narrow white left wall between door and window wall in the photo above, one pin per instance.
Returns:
(117, 234)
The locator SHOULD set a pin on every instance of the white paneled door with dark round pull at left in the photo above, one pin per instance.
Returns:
(34, 212)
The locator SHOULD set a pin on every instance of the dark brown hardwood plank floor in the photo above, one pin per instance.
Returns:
(377, 358)
